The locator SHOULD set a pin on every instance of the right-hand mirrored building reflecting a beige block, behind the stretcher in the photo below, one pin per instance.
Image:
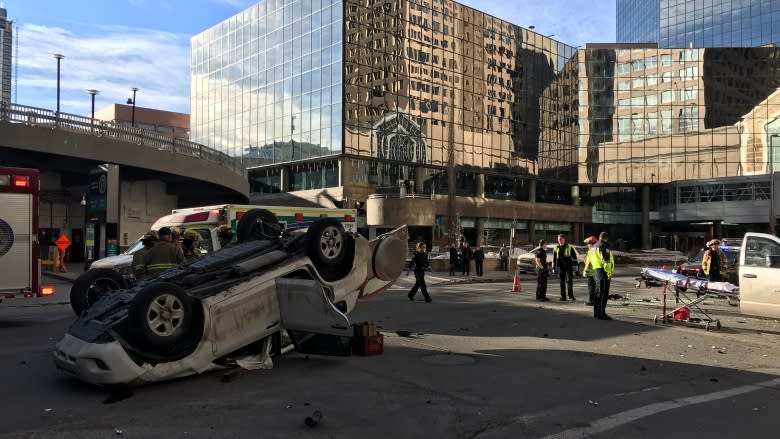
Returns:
(701, 127)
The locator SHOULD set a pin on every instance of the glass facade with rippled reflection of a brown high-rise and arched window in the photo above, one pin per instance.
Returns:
(434, 84)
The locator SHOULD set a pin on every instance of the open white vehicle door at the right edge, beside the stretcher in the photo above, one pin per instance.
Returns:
(759, 271)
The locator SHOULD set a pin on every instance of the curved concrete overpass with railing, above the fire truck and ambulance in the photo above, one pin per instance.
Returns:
(148, 173)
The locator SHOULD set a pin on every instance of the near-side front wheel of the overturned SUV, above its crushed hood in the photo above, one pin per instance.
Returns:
(160, 316)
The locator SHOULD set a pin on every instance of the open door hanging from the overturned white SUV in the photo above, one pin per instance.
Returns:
(314, 324)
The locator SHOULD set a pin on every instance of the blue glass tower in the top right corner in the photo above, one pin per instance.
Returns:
(699, 23)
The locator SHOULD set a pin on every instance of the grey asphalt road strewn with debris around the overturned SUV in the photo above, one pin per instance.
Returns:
(478, 362)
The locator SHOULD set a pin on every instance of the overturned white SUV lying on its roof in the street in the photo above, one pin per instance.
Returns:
(234, 302)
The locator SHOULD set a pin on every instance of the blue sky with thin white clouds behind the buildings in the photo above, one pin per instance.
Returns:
(113, 45)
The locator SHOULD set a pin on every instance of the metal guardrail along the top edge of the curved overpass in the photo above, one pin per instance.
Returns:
(16, 113)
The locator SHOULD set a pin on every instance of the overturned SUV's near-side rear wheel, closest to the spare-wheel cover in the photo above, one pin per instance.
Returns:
(330, 248)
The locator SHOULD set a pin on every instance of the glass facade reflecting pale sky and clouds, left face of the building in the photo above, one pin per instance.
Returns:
(267, 83)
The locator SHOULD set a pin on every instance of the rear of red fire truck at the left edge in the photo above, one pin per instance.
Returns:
(20, 263)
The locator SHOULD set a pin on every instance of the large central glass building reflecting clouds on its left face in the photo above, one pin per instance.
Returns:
(354, 98)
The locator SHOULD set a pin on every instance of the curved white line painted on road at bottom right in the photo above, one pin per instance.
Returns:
(632, 415)
